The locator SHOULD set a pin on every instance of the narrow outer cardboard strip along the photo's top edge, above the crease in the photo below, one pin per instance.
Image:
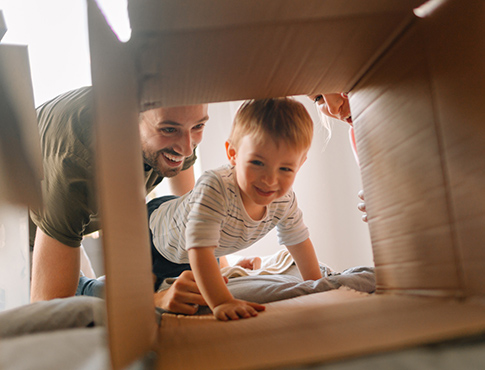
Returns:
(152, 16)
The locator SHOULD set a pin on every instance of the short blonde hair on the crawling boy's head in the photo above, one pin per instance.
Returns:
(280, 119)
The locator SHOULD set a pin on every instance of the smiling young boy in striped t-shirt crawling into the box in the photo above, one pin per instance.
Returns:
(235, 205)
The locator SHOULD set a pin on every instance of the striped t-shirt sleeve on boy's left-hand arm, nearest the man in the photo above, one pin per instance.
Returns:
(207, 211)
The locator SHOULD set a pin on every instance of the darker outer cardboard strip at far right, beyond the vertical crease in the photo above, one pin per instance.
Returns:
(457, 64)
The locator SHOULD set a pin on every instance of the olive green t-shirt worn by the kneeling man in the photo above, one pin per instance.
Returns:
(66, 132)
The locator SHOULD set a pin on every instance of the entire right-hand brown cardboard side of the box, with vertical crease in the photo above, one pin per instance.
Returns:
(421, 142)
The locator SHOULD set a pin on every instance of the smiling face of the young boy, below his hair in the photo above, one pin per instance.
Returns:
(264, 171)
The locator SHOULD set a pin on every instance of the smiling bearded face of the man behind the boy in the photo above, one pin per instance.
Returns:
(169, 135)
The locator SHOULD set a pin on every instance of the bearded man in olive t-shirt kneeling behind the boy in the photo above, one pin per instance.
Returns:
(168, 138)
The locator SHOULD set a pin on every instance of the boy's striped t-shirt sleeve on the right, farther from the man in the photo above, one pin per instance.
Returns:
(291, 229)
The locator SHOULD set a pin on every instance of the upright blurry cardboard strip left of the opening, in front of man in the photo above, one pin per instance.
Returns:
(129, 296)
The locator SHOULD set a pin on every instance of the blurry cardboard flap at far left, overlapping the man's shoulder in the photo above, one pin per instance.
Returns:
(20, 157)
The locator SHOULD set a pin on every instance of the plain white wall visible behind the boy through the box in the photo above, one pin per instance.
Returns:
(326, 186)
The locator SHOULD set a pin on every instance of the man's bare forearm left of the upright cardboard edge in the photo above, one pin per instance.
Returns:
(55, 269)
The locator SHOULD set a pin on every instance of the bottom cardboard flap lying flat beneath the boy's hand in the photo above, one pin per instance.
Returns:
(334, 325)
